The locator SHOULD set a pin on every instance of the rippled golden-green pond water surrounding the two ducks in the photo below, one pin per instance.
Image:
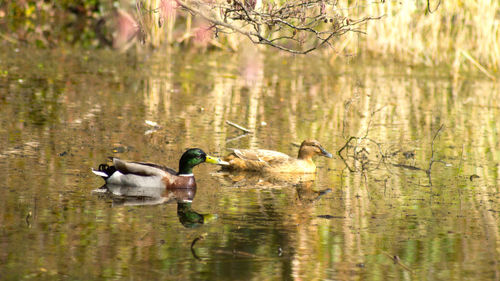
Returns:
(374, 214)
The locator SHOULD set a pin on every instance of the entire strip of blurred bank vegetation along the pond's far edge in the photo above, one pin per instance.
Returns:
(464, 36)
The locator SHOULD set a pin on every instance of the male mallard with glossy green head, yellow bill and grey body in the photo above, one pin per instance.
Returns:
(153, 175)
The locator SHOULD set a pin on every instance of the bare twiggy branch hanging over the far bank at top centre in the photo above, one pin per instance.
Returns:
(318, 22)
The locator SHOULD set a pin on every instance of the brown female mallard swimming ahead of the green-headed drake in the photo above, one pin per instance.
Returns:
(270, 161)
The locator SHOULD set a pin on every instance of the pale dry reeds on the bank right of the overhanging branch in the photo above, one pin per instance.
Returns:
(464, 34)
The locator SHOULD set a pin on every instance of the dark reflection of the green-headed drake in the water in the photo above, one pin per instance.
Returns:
(141, 196)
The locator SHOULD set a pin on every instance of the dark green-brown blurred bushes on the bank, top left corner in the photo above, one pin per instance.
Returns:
(52, 23)
